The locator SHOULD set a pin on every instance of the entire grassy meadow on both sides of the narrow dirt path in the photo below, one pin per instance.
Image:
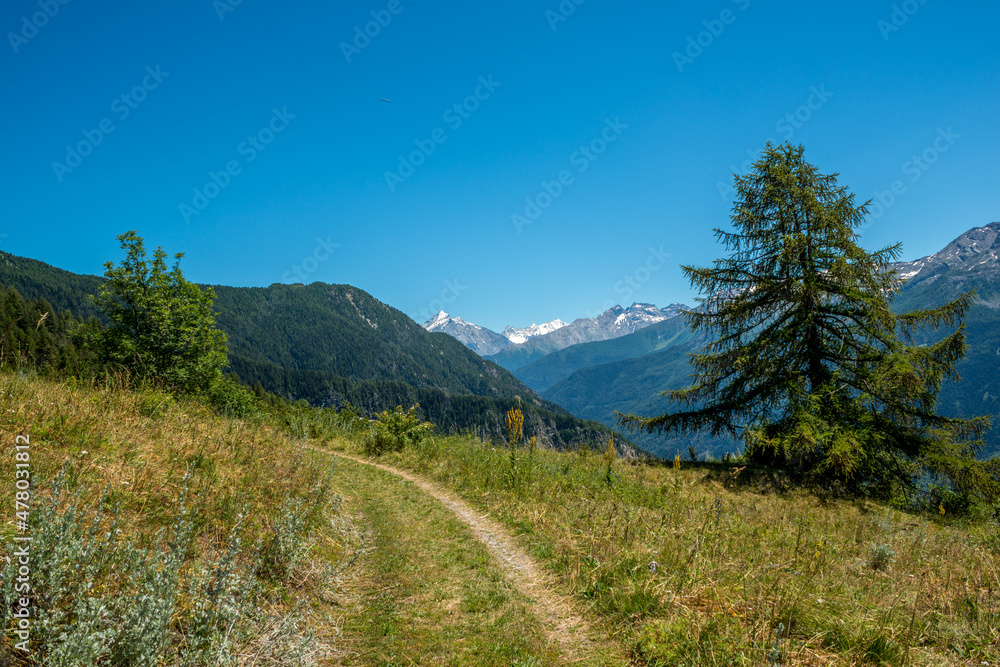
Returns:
(166, 534)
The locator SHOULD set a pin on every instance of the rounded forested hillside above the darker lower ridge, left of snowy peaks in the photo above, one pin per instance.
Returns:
(343, 330)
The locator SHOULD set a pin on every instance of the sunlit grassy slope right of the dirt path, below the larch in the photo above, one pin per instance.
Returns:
(688, 567)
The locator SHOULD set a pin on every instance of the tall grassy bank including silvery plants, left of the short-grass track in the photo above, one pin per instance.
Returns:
(162, 533)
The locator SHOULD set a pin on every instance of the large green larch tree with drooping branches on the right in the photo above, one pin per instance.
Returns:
(807, 363)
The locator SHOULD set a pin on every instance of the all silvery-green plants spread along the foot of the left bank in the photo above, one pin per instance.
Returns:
(100, 599)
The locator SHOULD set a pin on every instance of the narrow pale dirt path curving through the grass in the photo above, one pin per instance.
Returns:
(563, 627)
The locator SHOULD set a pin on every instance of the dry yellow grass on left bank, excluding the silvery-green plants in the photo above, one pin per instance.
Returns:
(141, 451)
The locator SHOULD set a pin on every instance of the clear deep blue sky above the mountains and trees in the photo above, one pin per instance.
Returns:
(211, 75)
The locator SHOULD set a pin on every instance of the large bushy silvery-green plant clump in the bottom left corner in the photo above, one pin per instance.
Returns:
(98, 599)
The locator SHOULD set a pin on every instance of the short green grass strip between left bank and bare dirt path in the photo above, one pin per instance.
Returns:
(428, 592)
